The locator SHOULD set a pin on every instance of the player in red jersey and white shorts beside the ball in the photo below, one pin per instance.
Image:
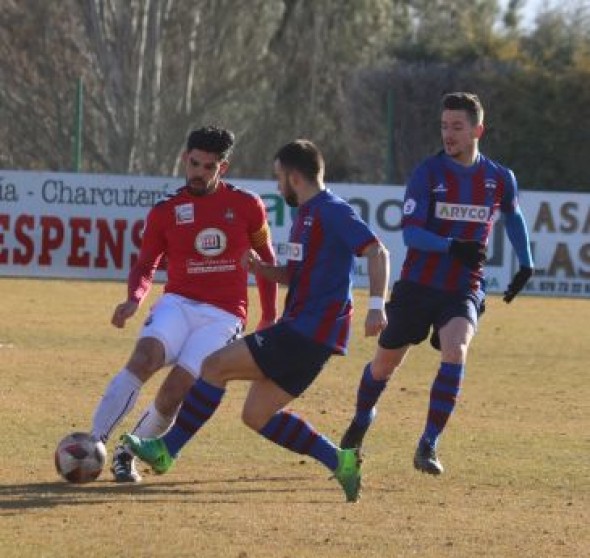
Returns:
(202, 231)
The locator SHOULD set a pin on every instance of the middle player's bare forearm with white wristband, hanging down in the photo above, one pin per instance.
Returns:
(378, 268)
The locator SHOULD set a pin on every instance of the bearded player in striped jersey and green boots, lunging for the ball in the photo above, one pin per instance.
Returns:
(282, 361)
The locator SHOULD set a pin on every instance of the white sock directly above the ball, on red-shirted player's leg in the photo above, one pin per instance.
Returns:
(115, 404)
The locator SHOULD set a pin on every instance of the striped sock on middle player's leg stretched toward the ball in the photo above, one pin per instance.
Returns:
(197, 408)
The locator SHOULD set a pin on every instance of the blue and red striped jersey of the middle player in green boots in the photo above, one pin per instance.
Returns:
(325, 237)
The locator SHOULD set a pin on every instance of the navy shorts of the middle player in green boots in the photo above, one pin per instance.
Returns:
(290, 359)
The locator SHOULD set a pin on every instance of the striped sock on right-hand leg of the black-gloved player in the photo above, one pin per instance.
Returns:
(443, 398)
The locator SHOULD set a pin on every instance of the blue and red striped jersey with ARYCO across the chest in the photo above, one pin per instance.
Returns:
(454, 201)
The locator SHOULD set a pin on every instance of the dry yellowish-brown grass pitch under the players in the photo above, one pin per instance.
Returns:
(516, 452)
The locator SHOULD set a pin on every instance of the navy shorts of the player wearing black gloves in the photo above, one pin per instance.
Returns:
(413, 309)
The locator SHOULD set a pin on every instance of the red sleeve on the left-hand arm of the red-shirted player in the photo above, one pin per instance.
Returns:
(152, 249)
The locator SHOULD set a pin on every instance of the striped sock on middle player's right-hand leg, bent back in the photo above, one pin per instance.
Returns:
(290, 431)
